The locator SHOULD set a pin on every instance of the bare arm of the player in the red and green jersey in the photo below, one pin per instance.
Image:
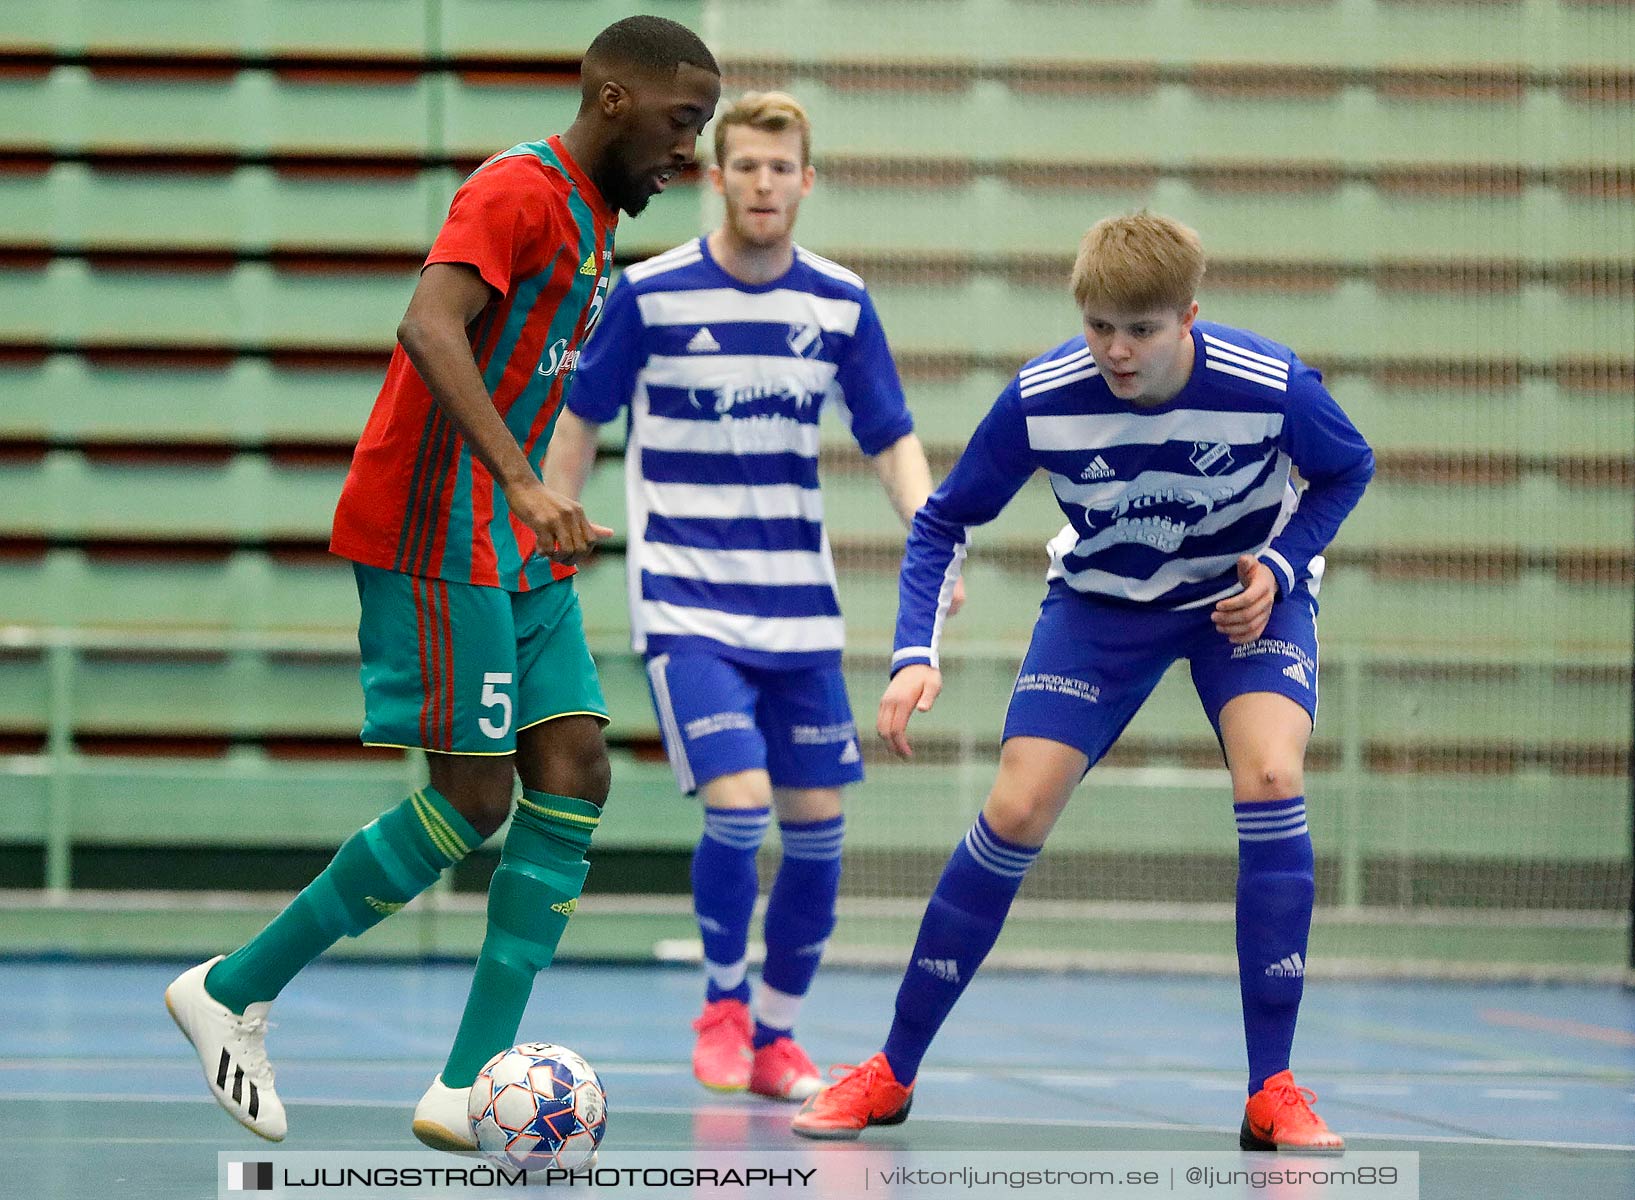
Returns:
(434, 334)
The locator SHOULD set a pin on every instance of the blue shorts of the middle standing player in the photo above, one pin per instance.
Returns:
(722, 717)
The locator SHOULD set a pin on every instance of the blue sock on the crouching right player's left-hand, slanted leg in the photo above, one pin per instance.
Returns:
(961, 926)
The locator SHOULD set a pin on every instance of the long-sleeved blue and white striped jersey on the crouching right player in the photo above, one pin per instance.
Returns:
(1160, 501)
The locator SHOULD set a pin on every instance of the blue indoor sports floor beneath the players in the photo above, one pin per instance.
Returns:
(1505, 1091)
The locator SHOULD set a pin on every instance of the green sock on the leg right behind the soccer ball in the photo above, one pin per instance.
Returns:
(534, 893)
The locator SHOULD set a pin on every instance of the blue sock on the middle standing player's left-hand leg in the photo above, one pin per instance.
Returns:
(725, 889)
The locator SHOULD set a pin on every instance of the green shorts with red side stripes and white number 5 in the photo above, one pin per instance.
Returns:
(460, 669)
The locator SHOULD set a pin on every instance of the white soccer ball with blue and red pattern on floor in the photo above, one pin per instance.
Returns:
(539, 1106)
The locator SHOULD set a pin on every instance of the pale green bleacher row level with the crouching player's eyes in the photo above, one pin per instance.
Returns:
(256, 303)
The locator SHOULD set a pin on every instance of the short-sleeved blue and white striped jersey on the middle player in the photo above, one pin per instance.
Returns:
(725, 385)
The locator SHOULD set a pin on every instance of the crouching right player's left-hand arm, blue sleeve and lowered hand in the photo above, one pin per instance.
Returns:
(993, 468)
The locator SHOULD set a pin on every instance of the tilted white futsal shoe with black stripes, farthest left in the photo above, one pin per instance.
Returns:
(233, 1052)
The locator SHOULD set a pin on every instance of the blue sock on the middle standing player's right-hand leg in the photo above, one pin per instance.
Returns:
(800, 918)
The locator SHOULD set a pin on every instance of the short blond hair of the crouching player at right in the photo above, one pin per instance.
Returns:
(1139, 264)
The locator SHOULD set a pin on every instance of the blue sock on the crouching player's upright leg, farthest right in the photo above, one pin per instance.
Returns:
(1276, 889)
